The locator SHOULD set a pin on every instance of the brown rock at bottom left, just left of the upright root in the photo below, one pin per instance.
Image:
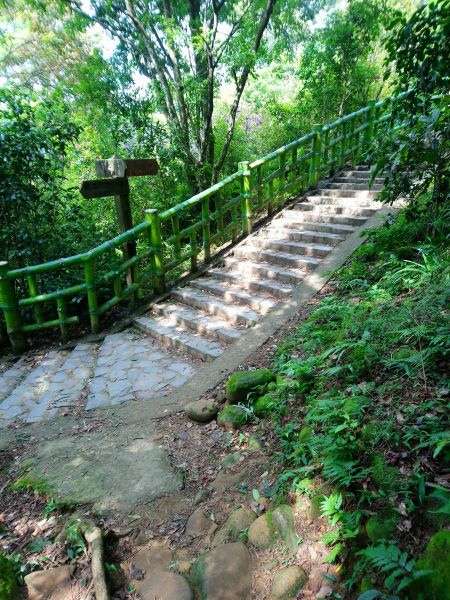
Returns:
(52, 584)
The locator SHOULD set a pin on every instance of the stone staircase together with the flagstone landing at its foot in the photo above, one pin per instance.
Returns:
(198, 321)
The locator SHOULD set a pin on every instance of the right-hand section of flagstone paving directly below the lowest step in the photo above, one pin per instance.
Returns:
(131, 367)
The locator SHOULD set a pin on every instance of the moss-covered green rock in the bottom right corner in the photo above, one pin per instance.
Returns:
(435, 585)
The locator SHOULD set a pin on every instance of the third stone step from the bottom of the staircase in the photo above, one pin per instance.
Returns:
(214, 306)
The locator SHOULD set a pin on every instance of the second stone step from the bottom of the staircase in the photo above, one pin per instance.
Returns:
(198, 321)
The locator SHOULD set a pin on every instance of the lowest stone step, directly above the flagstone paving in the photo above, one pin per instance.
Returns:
(180, 338)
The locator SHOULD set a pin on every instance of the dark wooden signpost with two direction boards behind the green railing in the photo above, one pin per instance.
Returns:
(117, 170)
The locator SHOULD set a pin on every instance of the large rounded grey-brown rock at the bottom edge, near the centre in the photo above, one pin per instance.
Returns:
(223, 573)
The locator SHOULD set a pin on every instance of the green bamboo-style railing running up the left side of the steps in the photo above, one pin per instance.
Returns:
(190, 232)
